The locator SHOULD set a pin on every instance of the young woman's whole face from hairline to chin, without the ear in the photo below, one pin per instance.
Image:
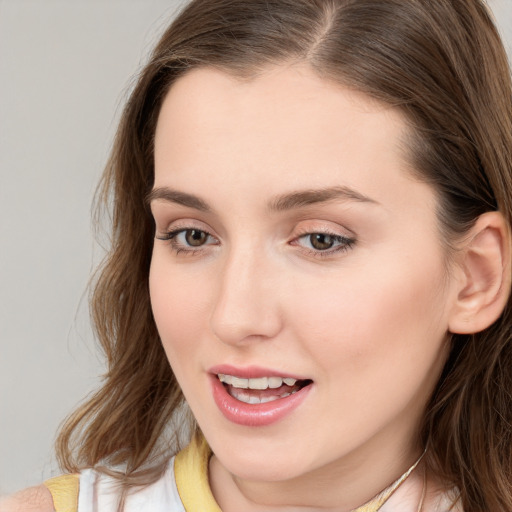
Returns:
(298, 279)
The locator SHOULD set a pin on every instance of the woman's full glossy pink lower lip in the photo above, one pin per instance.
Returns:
(255, 415)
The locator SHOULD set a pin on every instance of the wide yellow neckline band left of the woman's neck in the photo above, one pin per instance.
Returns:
(191, 473)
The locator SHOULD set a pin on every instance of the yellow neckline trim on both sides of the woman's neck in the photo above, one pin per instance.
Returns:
(191, 473)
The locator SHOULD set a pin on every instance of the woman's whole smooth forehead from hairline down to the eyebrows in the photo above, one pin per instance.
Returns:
(284, 128)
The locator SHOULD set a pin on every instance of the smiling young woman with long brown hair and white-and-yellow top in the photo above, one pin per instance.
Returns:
(312, 204)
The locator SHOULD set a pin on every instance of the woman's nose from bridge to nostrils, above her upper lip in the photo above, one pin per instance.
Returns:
(247, 305)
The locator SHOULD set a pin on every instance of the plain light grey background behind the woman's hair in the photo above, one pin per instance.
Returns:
(65, 70)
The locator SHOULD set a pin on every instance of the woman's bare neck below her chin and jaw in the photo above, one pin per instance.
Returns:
(338, 487)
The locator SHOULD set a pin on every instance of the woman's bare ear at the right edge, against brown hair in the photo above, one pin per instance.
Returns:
(484, 284)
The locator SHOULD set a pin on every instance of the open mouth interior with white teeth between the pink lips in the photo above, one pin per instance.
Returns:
(262, 389)
